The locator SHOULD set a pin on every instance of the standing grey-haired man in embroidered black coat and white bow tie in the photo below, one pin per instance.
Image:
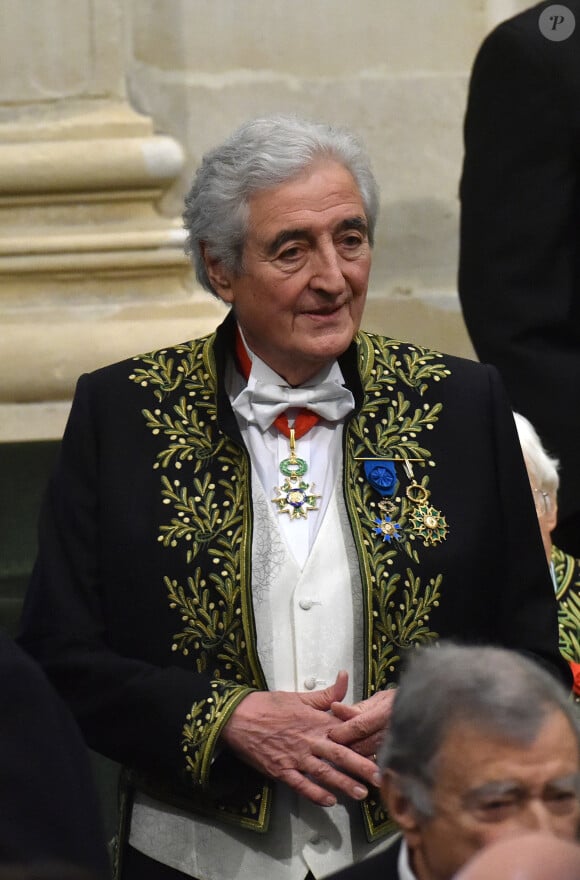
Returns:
(245, 533)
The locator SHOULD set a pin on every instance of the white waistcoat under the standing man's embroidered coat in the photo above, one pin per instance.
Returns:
(321, 607)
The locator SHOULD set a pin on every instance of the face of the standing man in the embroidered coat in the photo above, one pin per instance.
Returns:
(300, 295)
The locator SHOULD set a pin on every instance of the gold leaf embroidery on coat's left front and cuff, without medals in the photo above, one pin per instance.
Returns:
(204, 484)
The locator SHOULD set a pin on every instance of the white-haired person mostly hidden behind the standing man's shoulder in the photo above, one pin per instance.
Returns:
(544, 480)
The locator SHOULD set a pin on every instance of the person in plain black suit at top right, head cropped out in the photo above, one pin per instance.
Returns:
(519, 268)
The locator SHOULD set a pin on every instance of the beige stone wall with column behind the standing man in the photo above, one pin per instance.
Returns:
(106, 107)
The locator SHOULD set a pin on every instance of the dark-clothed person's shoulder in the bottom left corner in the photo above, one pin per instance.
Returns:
(48, 804)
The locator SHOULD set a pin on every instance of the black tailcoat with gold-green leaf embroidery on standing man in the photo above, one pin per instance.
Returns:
(140, 604)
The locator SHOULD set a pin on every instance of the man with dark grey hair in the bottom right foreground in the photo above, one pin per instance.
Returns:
(482, 744)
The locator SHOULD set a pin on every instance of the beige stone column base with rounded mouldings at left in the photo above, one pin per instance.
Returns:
(90, 269)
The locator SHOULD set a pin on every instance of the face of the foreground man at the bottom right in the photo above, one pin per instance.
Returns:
(487, 789)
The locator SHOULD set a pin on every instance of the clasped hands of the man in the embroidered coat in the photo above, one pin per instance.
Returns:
(312, 742)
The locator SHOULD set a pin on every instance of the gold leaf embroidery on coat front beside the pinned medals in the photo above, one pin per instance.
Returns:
(391, 426)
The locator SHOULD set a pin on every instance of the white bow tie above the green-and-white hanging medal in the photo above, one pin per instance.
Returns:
(263, 403)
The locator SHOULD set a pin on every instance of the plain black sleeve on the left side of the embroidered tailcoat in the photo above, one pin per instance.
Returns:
(89, 625)
